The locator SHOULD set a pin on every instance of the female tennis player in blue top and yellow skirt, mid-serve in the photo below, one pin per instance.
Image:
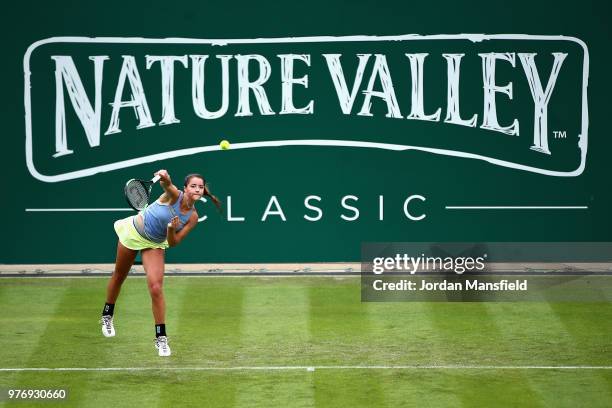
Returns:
(163, 224)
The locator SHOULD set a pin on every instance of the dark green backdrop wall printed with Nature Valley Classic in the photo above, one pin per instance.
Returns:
(375, 148)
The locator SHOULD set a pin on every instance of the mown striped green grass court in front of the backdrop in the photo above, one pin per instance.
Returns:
(249, 341)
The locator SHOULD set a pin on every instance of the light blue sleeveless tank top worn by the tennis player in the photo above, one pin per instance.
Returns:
(157, 216)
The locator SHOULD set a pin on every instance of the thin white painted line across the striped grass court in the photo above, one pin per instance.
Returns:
(311, 368)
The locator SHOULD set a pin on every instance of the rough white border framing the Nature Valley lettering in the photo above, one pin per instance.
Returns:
(582, 143)
